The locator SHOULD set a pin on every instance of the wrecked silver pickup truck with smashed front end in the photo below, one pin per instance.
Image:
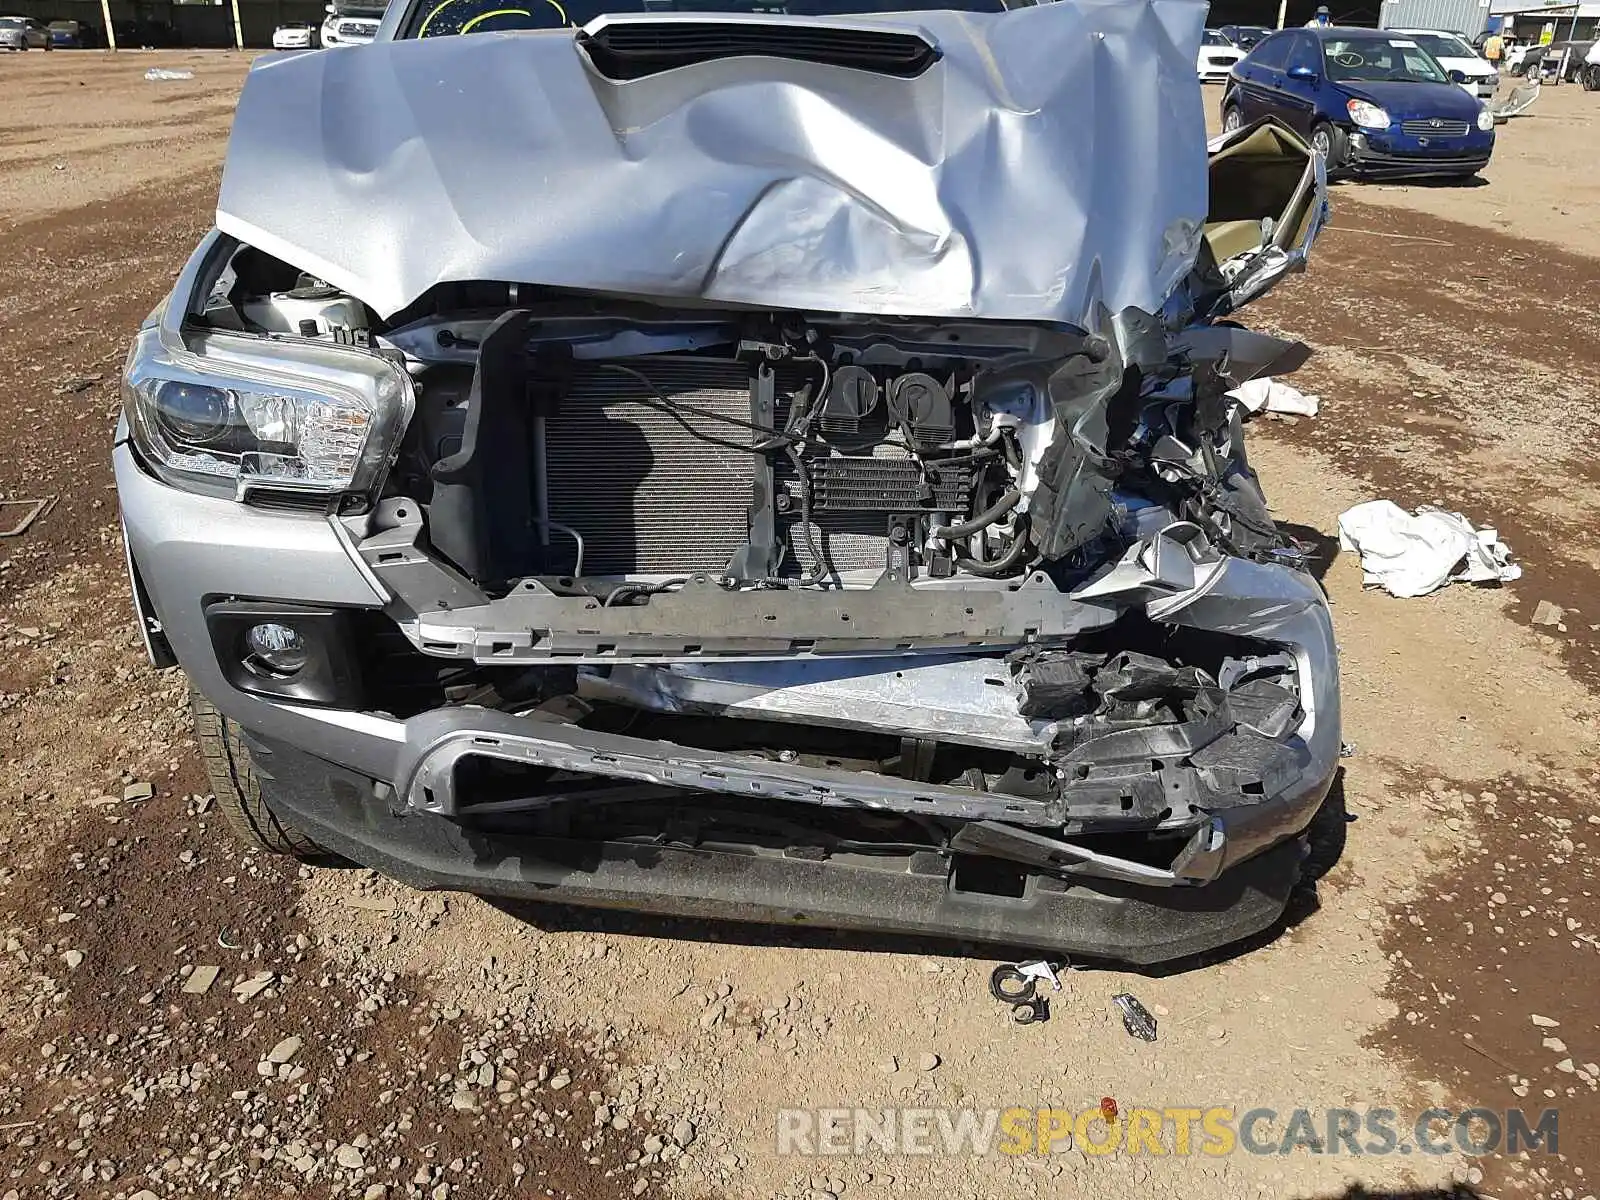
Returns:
(769, 465)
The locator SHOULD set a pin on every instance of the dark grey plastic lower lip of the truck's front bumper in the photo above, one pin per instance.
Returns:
(1095, 919)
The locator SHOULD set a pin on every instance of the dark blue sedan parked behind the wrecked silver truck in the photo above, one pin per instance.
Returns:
(1375, 103)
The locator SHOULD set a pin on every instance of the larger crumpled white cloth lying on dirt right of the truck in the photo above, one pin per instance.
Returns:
(1414, 554)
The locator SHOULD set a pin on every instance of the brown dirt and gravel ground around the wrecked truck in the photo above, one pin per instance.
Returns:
(359, 1039)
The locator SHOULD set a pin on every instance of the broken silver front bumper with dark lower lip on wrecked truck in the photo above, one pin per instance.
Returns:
(382, 791)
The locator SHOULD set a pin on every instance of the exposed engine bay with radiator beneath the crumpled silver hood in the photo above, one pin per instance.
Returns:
(572, 439)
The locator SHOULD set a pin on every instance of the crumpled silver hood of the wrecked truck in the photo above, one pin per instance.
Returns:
(1050, 159)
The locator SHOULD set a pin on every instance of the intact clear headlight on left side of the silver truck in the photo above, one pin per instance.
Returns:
(244, 414)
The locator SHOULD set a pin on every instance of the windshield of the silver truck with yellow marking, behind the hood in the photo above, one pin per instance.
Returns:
(439, 18)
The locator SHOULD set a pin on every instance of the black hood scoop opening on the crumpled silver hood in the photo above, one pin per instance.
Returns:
(633, 49)
